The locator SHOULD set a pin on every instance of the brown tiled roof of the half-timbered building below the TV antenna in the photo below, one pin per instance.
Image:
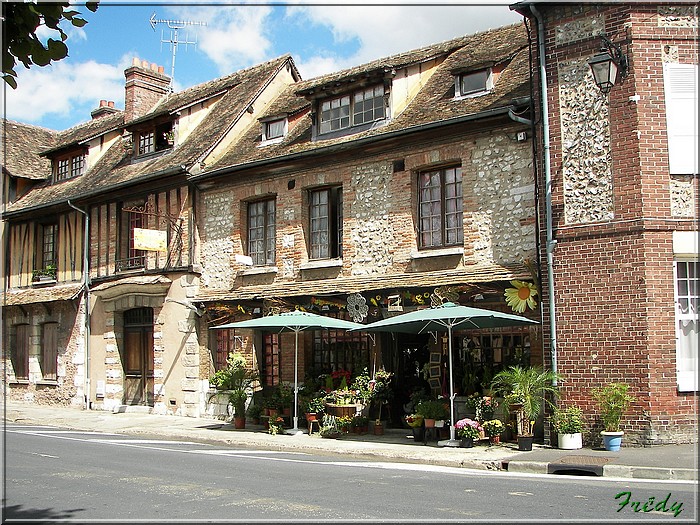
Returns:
(116, 169)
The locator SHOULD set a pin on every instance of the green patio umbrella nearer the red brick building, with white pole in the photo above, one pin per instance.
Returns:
(445, 318)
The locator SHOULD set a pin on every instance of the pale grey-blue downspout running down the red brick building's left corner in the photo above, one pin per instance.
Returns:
(551, 243)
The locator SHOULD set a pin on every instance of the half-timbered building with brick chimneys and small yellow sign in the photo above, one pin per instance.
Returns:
(101, 257)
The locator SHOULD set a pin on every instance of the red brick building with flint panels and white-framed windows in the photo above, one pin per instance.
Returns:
(621, 171)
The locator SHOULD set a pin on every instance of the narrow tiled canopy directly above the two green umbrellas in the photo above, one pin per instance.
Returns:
(478, 273)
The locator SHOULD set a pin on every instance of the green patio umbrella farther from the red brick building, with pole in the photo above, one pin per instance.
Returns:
(296, 322)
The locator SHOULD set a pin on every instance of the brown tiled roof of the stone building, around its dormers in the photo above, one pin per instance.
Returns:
(435, 102)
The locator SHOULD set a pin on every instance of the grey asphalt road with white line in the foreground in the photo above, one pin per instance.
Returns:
(54, 474)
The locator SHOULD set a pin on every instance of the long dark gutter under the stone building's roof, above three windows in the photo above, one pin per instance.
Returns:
(360, 142)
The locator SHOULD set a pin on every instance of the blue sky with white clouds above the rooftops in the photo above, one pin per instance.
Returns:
(322, 38)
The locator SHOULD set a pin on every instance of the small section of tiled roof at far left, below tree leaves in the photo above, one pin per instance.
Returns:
(22, 144)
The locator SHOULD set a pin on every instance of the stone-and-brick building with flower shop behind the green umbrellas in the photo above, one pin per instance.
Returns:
(373, 190)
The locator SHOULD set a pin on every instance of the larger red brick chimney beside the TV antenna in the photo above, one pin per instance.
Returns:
(145, 86)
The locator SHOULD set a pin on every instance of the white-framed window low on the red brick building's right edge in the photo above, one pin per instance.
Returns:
(687, 307)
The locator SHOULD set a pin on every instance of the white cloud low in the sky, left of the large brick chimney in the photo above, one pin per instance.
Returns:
(64, 89)
